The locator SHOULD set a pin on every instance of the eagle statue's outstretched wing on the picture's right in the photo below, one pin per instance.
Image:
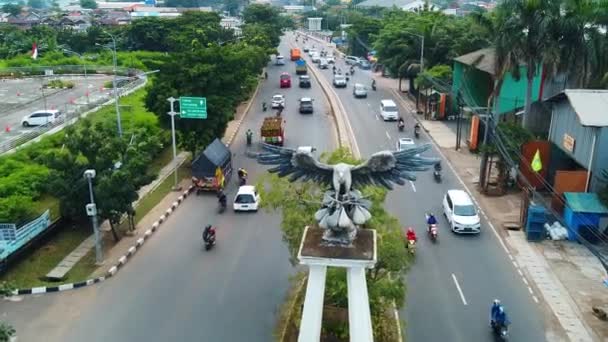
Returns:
(388, 167)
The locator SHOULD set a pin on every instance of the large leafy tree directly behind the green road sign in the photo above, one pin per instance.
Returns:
(225, 75)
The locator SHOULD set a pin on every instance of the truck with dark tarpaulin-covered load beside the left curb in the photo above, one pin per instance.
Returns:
(212, 167)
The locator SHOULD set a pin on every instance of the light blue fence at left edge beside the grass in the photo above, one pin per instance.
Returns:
(13, 238)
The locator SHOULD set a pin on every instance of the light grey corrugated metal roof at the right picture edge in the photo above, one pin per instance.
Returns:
(590, 106)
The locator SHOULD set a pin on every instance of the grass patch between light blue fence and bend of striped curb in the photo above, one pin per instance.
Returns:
(33, 268)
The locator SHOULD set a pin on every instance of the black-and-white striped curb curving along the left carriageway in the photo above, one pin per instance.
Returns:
(121, 261)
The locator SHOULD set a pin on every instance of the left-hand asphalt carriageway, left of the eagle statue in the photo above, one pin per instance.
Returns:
(173, 290)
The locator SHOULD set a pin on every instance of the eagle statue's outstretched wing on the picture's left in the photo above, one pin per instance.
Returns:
(297, 165)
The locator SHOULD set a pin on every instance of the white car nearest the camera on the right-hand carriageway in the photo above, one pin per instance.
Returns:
(461, 213)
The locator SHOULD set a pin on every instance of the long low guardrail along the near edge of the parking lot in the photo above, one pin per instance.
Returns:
(71, 114)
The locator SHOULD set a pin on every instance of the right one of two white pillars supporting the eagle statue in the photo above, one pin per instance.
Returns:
(359, 316)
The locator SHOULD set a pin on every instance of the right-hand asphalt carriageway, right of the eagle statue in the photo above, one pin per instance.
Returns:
(477, 265)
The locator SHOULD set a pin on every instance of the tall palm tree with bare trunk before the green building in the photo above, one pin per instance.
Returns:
(524, 35)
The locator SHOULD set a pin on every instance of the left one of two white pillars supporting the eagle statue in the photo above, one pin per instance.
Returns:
(312, 317)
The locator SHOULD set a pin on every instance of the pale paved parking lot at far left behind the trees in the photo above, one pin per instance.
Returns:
(21, 97)
